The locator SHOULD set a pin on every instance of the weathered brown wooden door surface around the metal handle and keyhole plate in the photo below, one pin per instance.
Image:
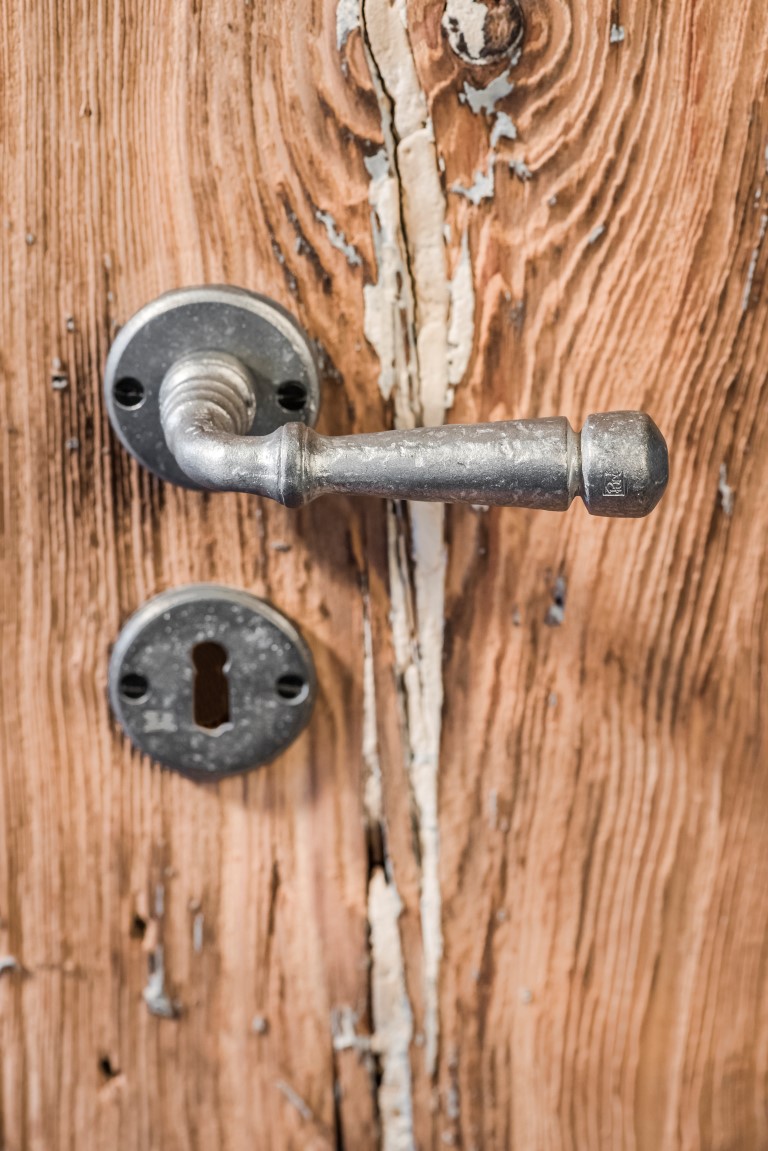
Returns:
(524, 910)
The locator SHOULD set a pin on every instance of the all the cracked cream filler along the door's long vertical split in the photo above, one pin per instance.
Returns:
(408, 321)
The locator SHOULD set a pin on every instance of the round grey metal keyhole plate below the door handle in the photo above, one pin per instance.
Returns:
(269, 672)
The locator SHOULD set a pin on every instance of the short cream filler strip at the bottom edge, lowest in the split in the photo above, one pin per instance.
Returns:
(392, 1016)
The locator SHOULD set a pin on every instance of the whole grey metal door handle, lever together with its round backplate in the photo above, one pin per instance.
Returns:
(203, 383)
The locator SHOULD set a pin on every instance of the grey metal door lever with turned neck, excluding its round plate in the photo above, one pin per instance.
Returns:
(619, 463)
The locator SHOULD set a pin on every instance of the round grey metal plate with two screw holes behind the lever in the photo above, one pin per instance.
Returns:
(256, 331)
